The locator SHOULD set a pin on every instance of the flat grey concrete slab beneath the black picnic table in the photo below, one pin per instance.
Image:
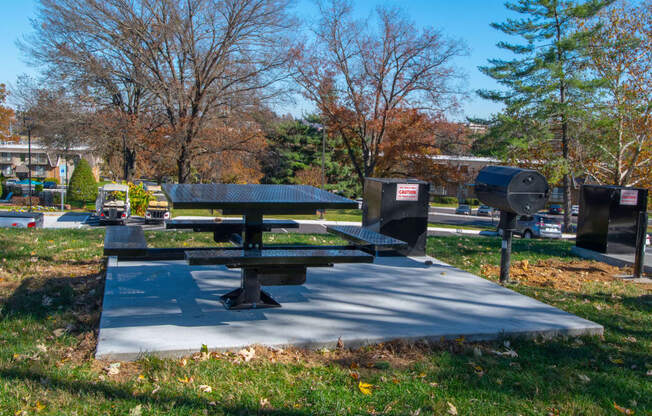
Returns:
(171, 309)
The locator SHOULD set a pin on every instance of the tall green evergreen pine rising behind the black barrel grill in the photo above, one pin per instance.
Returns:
(545, 82)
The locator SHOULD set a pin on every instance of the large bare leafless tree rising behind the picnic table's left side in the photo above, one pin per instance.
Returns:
(196, 59)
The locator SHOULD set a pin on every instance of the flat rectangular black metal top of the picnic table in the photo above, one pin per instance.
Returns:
(268, 199)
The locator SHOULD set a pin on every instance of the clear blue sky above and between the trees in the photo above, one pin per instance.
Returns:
(464, 19)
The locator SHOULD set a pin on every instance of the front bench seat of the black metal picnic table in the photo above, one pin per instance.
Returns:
(277, 257)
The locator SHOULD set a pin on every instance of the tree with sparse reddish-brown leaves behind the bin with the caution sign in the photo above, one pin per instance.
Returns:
(361, 79)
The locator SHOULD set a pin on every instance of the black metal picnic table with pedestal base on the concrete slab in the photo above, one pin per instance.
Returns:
(261, 265)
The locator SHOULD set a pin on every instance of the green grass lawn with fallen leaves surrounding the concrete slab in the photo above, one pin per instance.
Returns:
(51, 284)
